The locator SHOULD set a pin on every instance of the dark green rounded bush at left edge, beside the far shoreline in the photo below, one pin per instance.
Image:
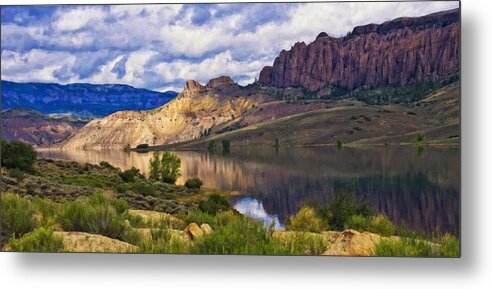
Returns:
(18, 155)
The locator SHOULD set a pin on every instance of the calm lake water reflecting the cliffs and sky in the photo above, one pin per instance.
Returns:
(421, 189)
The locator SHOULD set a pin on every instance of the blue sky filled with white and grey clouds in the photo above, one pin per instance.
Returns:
(159, 47)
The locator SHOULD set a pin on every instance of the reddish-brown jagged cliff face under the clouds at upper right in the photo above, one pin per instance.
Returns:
(402, 51)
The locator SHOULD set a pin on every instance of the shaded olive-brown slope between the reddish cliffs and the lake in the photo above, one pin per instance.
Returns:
(354, 122)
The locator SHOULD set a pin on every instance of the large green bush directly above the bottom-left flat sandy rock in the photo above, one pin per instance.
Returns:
(96, 214)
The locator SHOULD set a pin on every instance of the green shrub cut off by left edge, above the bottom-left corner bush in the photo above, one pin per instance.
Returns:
(17, 215)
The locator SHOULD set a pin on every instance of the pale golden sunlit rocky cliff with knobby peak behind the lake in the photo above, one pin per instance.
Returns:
(191, 115)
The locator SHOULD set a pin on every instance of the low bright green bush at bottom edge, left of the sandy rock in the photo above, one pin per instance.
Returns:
(40, 240)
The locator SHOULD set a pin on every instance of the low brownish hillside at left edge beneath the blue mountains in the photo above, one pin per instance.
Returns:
(35, 128)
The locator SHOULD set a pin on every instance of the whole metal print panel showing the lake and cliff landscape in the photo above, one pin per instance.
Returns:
(261, 129)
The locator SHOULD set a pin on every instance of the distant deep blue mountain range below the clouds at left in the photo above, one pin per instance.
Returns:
(80, 99)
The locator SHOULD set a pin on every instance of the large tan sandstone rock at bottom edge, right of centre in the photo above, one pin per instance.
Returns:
(353, 243)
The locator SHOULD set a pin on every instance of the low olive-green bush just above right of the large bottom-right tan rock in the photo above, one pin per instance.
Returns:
(379, 224)
